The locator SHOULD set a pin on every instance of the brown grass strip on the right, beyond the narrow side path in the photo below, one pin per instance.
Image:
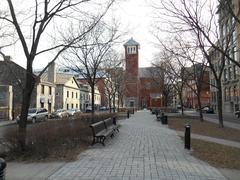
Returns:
(204, 128)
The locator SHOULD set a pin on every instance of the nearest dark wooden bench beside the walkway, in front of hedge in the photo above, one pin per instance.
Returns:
(103, 129)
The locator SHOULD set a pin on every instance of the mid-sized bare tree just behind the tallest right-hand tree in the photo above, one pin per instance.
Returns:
(188, 55)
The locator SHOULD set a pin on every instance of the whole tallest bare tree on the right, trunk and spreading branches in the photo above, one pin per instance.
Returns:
(189, 17)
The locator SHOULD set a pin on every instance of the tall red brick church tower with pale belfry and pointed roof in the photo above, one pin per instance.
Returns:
(132, 78)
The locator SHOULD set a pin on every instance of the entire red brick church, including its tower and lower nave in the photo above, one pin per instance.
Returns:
(143, 86)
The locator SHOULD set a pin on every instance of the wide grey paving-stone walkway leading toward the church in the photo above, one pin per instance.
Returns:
(143, 150)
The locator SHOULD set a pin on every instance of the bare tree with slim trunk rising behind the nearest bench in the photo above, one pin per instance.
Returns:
(86, 57)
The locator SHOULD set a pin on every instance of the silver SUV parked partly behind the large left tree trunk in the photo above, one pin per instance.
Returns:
(35, 115)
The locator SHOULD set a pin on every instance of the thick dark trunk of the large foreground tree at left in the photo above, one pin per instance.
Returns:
(26, 98)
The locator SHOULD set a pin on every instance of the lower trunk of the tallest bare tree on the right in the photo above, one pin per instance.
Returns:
(219, 103)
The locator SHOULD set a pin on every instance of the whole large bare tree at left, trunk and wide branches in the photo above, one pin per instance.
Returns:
(39, 18)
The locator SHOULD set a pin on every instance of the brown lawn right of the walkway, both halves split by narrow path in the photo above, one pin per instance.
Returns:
(215, 154)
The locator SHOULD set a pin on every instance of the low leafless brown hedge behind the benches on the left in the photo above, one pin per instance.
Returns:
(53, 139)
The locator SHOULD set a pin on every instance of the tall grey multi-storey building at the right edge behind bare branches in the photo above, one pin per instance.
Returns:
(230, 40)
